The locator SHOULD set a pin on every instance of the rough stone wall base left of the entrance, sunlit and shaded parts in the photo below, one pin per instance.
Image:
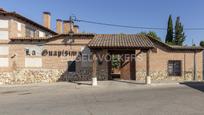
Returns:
(28, 76)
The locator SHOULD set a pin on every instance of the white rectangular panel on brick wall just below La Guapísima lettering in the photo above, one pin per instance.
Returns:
(33, 62)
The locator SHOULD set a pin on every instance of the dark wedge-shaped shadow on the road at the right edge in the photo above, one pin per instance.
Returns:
(196, 85)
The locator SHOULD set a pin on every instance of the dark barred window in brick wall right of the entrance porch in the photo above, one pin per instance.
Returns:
(174, 68)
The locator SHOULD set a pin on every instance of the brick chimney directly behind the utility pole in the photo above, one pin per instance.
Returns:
(68, 26)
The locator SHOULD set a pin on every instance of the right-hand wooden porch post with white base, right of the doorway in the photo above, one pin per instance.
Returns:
(148, 78)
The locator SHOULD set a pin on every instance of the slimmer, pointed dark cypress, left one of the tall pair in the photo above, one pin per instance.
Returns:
(169, 35)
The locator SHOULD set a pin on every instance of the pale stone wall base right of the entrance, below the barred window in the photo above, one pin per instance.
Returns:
(163, 75)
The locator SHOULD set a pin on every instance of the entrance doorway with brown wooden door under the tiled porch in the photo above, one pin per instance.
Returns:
(122, 65)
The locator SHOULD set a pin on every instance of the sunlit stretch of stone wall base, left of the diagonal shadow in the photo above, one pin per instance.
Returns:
(26, 76)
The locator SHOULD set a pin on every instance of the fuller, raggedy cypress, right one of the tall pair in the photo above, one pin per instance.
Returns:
(179, 34)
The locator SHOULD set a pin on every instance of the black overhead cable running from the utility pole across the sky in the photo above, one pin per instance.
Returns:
(132, 27)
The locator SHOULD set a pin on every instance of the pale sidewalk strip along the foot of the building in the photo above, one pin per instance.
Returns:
(101, 84)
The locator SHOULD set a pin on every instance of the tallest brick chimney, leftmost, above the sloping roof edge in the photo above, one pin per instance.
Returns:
(47, 19)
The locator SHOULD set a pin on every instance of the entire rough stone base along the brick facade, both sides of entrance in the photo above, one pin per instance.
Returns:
(27, 76)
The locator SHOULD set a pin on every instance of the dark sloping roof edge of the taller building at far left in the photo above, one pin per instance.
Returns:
(14, 14)
